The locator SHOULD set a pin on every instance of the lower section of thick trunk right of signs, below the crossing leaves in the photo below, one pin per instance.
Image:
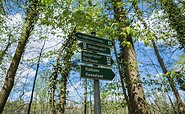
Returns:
(134, 85)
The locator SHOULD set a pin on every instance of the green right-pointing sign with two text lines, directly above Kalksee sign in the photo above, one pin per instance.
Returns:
(97, 59)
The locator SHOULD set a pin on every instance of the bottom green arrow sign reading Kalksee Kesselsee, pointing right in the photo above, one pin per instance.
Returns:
(96, 73)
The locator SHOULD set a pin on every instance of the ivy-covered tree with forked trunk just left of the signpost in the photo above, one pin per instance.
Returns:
(62, 68)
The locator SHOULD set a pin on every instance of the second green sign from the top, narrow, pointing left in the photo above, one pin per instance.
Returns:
(94, 48)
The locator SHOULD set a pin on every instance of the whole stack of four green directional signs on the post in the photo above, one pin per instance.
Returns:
(91, 46)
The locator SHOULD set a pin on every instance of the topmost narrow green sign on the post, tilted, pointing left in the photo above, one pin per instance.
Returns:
(93, 39)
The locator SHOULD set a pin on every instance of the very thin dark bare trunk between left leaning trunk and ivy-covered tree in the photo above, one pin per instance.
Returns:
(33, 88)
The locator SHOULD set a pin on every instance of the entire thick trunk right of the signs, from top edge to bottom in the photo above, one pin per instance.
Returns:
(134, 85)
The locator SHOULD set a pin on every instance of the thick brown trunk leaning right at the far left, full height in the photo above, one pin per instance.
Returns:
(10, 76)
